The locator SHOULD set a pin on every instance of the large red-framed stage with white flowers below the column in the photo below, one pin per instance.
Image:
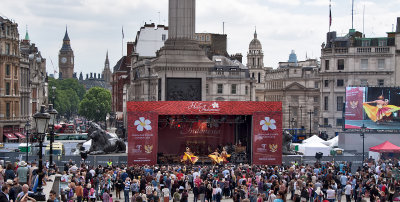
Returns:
(160, 131)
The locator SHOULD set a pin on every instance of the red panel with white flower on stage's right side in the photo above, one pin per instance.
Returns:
(267, 138)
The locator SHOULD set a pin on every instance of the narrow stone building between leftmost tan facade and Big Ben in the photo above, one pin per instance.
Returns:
(33, 89)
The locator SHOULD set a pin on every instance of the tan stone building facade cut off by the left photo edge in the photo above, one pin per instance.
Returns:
(10, 78)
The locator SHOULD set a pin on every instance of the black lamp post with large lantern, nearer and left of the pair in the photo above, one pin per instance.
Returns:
(41, 123)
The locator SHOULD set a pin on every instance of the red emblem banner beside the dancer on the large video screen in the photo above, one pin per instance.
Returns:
(354, 103)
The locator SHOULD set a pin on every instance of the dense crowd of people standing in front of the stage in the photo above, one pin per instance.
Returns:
(328, 181)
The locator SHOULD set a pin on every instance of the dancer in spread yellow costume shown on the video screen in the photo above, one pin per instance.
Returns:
(382, 109)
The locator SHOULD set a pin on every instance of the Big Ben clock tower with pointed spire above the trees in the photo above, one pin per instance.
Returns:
(66, 59)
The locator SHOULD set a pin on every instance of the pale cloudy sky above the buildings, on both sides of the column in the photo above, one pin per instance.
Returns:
(94, 26)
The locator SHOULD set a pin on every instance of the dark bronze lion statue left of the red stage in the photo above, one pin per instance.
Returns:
(104, 142)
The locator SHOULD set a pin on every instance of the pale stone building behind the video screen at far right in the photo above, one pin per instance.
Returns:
(354, 60)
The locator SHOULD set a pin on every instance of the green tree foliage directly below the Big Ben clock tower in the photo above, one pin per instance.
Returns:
(68, 94)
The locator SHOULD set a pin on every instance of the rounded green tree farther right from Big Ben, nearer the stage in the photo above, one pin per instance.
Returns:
(96, 104)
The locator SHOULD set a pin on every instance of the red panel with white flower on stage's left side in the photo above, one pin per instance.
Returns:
(142, 138)
